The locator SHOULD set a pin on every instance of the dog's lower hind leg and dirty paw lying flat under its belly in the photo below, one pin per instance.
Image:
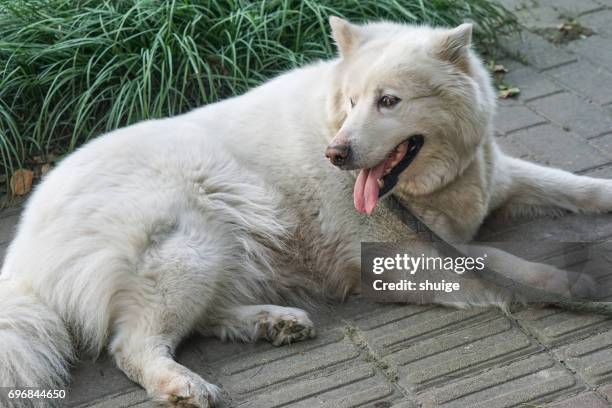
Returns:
(277, 324)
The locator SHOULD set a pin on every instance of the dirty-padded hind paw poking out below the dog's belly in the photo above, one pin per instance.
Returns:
(287, 325)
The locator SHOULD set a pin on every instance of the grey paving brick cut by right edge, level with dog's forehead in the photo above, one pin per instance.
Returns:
(587, 79)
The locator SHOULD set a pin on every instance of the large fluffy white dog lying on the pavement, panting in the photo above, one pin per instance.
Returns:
(203, 221)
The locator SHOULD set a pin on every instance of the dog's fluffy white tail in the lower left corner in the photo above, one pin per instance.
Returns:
(35, 347)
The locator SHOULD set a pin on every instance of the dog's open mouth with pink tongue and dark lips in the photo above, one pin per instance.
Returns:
(375, 182)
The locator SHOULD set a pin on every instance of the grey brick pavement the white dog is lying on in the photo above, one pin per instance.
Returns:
(388, 356)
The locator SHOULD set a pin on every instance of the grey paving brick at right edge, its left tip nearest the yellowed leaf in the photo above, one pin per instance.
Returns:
(571, 111)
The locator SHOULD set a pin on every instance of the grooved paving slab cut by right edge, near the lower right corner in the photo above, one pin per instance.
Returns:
(591, 357)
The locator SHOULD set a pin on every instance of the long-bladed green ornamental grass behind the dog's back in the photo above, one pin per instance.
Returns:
(71, 70)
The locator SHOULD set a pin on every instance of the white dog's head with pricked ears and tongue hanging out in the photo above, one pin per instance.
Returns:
(410, 107)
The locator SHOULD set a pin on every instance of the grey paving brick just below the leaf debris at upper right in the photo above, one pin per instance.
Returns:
(537, 51)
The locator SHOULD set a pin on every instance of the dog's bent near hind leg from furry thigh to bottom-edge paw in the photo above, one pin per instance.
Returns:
(175, 286)
